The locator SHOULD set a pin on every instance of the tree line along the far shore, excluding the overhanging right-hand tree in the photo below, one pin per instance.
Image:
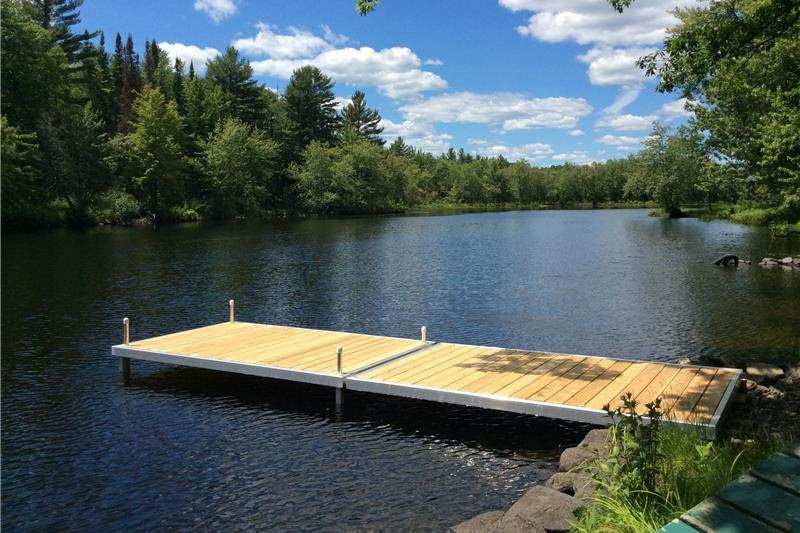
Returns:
(92, 135)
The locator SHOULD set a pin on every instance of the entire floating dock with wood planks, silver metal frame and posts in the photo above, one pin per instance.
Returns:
(570, 387)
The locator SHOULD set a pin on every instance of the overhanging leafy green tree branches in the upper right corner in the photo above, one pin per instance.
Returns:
(738, 62)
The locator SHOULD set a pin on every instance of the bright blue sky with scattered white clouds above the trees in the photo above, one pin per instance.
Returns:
(543, 80)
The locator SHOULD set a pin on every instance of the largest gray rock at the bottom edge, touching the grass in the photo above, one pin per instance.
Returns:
(540, 509)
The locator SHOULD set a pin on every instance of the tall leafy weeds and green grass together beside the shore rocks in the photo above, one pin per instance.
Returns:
(656, 472)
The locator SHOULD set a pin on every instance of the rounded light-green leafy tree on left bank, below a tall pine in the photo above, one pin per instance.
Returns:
(240, 163)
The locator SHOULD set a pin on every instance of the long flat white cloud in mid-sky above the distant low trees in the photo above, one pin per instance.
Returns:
(511, 111)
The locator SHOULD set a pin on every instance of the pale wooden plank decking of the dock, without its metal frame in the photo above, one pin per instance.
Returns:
(688, 393)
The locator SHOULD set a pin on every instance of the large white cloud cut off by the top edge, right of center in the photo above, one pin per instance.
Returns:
(594, 21)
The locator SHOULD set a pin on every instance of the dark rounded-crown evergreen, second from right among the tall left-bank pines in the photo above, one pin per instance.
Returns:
(310, 108)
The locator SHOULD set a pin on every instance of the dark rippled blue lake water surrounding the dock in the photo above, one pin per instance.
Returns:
(182, 448)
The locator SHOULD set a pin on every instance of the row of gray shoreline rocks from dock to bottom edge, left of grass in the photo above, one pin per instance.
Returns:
(552, 506)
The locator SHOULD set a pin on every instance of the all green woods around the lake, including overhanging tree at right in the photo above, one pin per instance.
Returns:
(93, 132)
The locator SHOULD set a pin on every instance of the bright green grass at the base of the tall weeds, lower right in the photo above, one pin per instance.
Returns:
(690, 470)
